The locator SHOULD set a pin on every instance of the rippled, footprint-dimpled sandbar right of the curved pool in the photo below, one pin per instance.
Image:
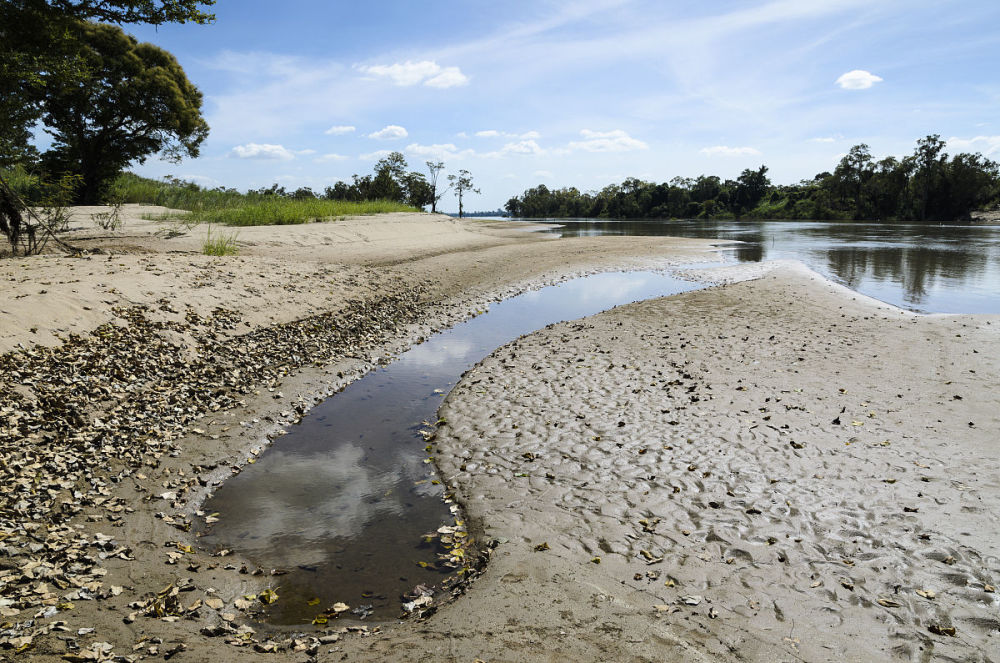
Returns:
(777, 469)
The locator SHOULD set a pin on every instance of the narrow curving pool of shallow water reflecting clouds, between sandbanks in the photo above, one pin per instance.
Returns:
(342, 502)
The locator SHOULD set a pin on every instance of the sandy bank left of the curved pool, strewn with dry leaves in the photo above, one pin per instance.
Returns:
(141, 375)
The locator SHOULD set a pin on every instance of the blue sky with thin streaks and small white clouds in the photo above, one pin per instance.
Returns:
(580, 93)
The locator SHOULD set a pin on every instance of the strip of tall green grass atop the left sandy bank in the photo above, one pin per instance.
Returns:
(230, 207)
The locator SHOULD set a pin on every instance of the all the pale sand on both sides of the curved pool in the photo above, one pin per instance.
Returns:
(738, 473)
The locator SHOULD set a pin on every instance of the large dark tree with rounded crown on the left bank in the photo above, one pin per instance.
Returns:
(133, 100)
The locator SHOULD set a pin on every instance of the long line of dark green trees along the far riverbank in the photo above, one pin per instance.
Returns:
(925, 186)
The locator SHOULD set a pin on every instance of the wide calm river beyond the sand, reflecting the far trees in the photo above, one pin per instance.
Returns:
(944, 269)
